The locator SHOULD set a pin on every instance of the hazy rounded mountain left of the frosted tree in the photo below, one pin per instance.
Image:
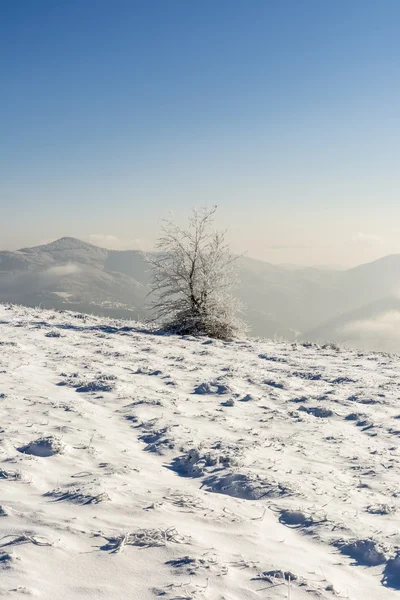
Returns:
(72, 274)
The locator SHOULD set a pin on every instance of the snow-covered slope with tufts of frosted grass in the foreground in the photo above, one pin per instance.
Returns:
(139, 466)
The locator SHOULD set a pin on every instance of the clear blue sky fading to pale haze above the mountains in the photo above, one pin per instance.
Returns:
(285, 113)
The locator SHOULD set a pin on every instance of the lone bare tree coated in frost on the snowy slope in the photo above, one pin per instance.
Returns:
(193, 273)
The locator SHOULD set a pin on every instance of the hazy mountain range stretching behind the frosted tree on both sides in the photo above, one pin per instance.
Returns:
(282, 301)
